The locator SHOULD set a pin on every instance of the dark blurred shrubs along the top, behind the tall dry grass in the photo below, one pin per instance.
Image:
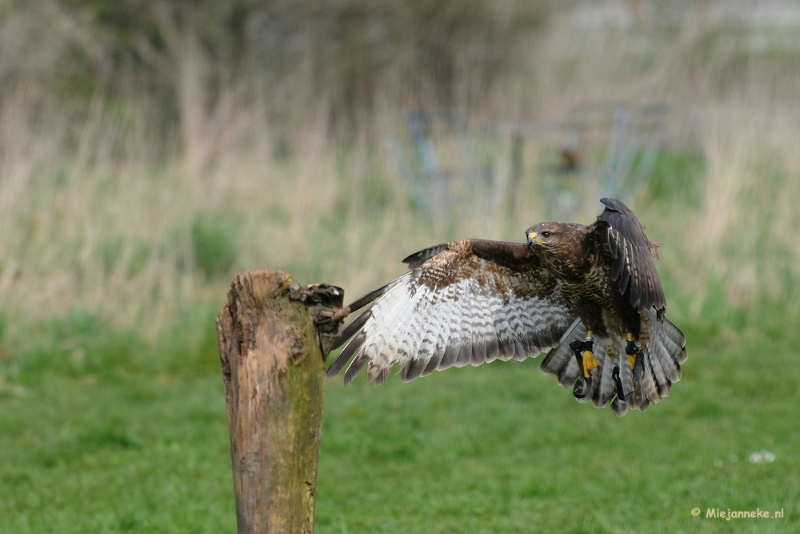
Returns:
(186, 63)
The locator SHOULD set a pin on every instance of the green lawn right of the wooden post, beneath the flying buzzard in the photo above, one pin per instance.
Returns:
(504, 449)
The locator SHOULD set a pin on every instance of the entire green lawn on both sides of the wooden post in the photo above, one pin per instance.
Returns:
(132, 446)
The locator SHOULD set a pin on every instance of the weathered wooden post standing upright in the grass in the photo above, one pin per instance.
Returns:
(273, 368)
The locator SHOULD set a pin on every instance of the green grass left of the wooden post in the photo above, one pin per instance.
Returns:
(104, 432)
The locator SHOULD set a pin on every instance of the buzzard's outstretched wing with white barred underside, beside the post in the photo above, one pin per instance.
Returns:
(465, 302)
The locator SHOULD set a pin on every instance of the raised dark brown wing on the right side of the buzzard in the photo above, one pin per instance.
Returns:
(632, 255)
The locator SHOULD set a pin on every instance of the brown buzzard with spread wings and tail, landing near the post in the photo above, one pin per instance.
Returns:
(589, 294)
